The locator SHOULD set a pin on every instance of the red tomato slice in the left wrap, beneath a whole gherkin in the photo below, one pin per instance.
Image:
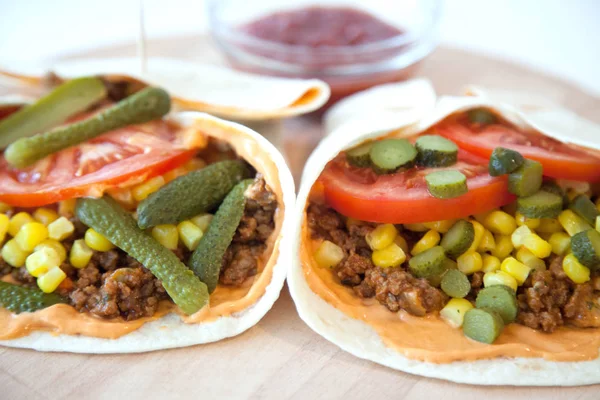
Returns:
(122, 157)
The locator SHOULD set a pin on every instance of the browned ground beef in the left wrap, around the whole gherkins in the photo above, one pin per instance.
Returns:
(115, 285)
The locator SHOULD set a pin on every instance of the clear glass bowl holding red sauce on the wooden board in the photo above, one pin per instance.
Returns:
(347, 68)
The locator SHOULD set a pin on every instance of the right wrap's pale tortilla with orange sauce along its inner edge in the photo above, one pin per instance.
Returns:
(334, 317)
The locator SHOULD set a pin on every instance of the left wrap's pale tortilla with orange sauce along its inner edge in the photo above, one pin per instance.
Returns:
(227, 317)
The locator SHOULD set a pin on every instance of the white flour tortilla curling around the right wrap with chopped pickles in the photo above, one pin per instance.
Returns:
(360, 338)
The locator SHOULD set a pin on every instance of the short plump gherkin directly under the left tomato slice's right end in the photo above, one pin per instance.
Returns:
(189, 195)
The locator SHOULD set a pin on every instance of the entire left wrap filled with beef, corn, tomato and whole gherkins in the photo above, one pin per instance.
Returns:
(126, 228)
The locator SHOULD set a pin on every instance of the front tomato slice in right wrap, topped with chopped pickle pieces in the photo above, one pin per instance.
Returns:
(403, 197)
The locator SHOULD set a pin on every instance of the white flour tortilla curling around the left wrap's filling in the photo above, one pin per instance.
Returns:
(171, 330)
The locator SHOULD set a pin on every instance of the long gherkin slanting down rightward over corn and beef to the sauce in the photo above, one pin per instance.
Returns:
(108, 218)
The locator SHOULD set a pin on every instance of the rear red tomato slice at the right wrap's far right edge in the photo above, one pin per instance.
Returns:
(560, 161)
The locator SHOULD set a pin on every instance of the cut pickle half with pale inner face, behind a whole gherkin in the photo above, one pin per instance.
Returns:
(67, 100)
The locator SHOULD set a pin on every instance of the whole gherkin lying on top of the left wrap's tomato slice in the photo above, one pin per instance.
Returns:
(146, 105)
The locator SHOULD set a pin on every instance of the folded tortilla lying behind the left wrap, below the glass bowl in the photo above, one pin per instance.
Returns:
(199, 87)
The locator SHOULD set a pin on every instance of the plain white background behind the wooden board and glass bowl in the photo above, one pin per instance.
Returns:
(557, 36)
